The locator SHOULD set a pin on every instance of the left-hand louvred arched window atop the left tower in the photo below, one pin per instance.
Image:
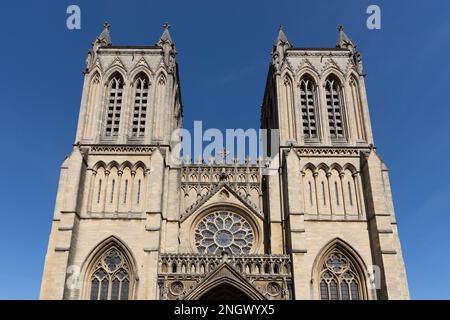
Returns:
(115, 98)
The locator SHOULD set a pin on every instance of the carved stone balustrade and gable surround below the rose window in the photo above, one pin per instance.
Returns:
(183, 273)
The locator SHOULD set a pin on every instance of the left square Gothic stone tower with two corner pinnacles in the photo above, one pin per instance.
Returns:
(117, 182)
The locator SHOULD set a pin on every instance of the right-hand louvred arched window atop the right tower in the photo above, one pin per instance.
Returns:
(333, 94)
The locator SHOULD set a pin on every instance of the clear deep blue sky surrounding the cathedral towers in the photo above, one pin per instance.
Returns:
(223, 52)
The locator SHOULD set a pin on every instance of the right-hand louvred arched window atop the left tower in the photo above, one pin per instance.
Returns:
(140, 105)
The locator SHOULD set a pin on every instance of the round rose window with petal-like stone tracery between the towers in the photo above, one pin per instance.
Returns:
(224, 231)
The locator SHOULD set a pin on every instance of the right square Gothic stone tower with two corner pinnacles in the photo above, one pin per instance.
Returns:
(334, 202)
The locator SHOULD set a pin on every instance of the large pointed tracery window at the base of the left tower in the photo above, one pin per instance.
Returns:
(111, 276)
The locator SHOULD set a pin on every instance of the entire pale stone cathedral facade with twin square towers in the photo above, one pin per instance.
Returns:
(130, 223)
